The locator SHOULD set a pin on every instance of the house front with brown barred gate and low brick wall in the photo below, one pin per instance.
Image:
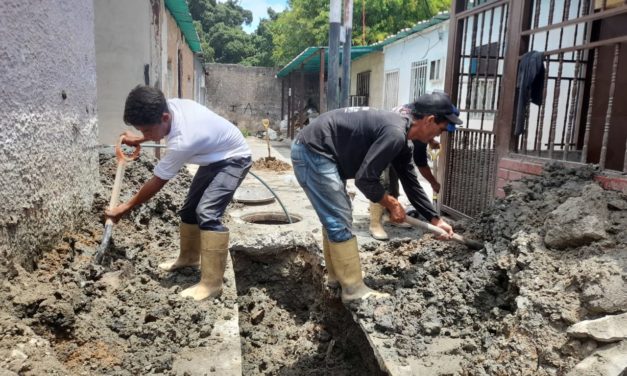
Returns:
(578, 120)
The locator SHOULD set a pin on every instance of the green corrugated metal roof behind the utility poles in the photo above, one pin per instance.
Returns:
(312, 64)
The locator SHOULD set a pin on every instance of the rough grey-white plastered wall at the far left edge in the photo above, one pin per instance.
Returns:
(48, 158)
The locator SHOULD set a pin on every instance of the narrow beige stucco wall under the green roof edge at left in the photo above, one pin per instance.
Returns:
(177, 42)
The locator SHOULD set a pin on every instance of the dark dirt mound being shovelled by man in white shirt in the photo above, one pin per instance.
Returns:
(72, 317)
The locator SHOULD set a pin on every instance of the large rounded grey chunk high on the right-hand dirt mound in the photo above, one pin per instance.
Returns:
(578, 221)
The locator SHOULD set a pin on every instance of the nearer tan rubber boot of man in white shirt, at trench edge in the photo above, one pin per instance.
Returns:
(214, 249)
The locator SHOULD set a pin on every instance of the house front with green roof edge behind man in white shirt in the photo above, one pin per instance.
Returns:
(143, 42)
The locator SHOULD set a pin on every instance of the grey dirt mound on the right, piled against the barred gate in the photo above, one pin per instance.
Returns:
(505, 310)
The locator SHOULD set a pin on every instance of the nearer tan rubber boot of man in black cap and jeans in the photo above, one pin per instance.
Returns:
(345, 259)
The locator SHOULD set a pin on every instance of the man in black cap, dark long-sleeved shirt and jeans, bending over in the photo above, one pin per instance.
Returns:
(360, 143)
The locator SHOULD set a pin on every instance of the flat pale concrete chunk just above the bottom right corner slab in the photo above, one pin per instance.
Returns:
(606, 329)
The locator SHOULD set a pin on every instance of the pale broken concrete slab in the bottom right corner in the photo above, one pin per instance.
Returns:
(610, 360)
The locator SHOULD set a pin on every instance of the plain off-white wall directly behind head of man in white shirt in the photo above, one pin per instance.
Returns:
(128, 37)
